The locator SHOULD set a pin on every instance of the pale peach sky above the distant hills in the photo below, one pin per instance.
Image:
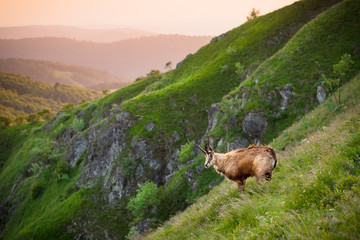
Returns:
(192, 17)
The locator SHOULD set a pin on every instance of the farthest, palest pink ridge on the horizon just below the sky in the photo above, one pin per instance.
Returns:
(82, 34)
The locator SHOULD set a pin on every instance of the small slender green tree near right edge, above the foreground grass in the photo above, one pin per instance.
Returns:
(340, 71)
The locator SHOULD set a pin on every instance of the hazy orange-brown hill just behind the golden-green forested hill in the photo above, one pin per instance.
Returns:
(51, 73)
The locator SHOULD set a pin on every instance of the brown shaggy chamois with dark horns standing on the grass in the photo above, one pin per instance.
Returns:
(238, 165)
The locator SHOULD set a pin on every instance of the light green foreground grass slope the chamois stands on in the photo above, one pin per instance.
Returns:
(314, 194)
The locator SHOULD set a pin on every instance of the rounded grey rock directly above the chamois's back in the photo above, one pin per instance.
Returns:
(254, 125)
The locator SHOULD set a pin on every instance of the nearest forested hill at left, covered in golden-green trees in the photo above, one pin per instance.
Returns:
(21, 95)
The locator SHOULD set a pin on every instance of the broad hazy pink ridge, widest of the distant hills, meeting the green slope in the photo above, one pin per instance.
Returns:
(128, 58)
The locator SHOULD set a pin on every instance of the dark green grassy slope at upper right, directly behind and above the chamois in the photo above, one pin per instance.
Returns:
(312, 51)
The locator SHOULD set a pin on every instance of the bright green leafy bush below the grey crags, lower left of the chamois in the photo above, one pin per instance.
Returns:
(146, 197)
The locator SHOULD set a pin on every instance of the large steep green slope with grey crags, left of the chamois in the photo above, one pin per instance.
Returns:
(88, 177)
